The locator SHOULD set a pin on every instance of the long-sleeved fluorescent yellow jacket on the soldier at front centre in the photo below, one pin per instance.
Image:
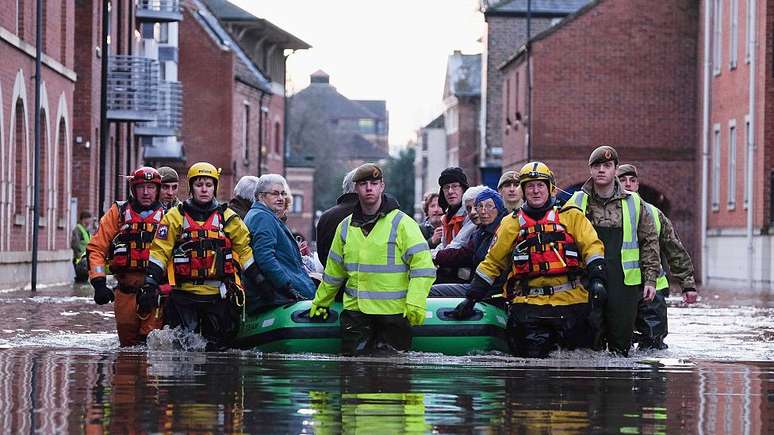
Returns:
(381, 272)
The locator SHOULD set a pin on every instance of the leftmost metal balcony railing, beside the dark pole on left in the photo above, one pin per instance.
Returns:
(133, 85)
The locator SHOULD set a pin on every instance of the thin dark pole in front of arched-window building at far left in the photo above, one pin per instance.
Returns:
(36, 164)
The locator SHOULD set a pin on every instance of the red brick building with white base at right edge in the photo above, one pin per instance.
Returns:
(736, 134)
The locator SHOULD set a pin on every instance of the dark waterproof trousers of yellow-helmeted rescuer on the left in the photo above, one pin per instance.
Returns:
(209, 315)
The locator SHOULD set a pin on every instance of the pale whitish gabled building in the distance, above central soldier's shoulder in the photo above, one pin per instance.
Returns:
(429, 161)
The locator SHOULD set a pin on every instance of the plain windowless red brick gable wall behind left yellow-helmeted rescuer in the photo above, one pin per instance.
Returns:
(209, 97)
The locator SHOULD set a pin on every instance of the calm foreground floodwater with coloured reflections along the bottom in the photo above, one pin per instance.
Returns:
(46, 391)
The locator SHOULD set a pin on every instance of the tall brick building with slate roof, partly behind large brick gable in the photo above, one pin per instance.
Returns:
(506, 29)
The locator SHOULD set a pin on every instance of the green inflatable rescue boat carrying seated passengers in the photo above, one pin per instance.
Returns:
(288, 329)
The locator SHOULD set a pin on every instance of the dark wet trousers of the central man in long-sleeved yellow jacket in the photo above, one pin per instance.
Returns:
(363, 334)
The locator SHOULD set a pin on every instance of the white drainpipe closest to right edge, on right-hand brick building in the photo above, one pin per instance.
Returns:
(751, 145)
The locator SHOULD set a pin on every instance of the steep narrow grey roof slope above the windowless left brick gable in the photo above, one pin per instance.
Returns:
(245, 68)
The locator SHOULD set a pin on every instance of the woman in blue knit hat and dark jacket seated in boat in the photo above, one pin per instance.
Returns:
(489, 210)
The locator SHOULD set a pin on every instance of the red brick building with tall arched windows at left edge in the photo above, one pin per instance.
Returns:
(17, 140)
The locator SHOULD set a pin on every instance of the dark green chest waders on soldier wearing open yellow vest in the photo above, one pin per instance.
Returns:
(622, 299)
